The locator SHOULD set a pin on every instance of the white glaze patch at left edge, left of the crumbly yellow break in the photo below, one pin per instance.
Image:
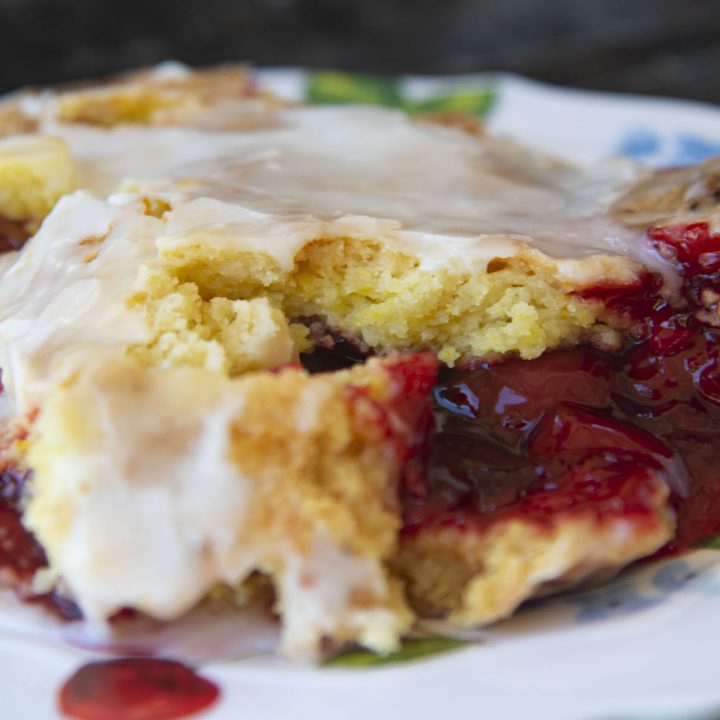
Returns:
(56, 298)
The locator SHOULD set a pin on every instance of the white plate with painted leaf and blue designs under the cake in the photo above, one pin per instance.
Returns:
(642, 647)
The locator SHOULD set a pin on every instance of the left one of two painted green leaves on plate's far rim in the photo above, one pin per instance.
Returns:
(327, 87)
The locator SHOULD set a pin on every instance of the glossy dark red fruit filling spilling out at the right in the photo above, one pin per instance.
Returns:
(586, 429)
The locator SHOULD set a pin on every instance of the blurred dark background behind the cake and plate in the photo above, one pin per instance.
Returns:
(669, 47)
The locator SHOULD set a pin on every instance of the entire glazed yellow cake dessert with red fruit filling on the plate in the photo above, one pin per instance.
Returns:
(393, 368)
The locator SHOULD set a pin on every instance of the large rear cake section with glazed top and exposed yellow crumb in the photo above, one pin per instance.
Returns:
(393, 232)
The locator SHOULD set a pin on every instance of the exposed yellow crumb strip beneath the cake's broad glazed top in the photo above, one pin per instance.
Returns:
(387, 301)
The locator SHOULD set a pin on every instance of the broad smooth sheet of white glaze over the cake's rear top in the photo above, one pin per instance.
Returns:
(432, 191)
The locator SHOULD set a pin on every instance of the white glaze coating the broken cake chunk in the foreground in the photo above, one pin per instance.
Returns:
(139, 503)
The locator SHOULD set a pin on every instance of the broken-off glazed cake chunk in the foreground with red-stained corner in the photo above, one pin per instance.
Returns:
(153, 486)
